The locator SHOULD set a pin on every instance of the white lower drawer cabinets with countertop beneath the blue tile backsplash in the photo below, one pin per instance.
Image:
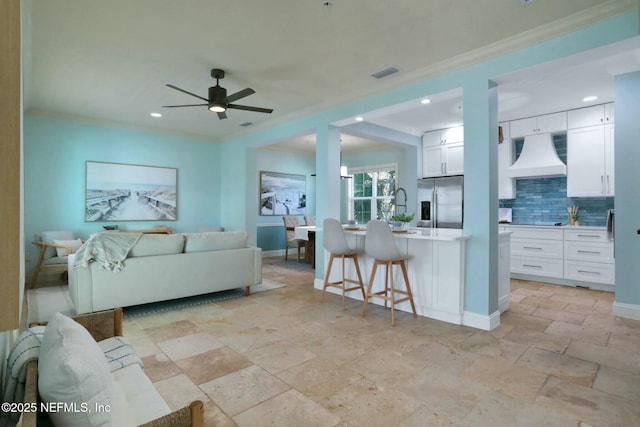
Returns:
(568, 256)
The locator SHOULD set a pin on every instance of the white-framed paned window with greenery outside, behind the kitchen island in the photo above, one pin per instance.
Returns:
(371, 193)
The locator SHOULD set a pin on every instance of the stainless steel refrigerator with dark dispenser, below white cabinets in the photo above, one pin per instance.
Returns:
(440, 202)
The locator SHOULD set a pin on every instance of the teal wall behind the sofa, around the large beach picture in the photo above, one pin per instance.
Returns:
(55, 153)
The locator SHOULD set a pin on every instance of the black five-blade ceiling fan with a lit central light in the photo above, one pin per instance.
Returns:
(218, 101)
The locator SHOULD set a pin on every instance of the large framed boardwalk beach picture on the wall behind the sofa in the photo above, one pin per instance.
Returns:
(122, 192)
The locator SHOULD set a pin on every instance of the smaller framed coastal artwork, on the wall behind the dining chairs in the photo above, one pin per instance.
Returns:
(282, 194)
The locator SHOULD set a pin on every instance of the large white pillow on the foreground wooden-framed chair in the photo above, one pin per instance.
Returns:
(73, 373)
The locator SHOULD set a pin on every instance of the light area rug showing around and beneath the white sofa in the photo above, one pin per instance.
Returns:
(44, 302)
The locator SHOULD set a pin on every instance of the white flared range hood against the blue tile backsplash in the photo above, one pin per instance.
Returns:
(538, 159)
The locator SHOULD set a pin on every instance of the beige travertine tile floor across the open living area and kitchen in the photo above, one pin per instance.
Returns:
(282, 358)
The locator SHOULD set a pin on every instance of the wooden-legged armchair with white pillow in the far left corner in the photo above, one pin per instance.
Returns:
(54, 247)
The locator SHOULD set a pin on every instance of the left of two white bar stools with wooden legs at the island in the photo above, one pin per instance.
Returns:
(335, 243)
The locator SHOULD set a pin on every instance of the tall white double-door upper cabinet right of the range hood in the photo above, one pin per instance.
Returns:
(590, 162)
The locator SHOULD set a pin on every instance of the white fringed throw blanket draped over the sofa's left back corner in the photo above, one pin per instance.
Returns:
(108, 249)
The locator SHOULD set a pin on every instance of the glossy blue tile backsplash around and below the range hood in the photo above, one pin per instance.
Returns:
(544, 200)
